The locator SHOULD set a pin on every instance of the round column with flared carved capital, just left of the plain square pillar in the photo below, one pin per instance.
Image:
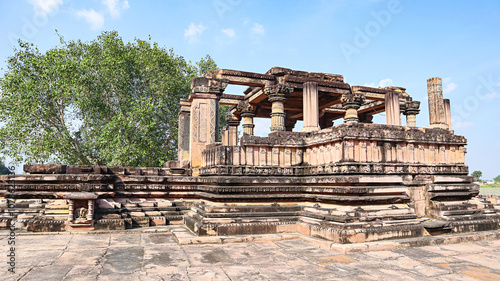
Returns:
(277, 95)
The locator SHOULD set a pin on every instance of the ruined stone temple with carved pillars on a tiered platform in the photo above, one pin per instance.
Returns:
(347, 183)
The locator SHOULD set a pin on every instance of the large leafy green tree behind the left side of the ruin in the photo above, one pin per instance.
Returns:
(103, 102)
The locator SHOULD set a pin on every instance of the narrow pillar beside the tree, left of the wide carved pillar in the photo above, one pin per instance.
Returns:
(183, 137)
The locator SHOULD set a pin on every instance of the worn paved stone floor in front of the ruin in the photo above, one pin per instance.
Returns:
(157, 256)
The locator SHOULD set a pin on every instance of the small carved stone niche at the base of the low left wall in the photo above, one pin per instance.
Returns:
(81, 210)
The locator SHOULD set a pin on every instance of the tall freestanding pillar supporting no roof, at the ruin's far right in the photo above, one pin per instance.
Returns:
(436, 104)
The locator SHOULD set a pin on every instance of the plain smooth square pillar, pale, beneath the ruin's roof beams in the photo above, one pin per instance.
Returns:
(310, 107)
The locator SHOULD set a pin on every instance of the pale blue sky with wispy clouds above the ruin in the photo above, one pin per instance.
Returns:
(399, 43)
